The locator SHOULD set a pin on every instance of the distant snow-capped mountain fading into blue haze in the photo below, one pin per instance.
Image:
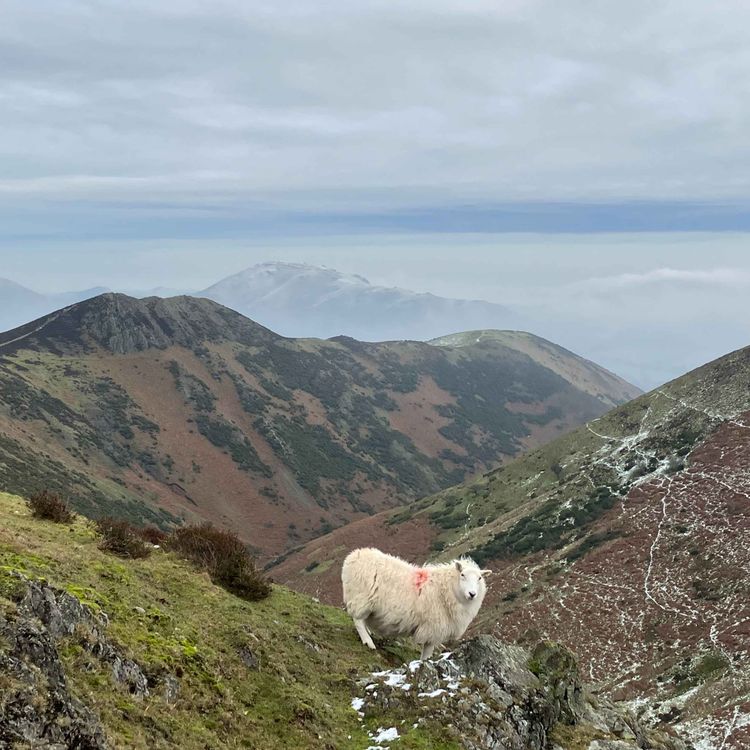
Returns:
(297, 299)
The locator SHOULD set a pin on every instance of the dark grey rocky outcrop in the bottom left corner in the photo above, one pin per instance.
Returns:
(37, 708)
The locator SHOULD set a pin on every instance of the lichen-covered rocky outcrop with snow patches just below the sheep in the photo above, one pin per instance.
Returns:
(493, 696)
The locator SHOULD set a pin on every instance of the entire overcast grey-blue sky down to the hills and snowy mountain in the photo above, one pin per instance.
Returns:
(578, 157)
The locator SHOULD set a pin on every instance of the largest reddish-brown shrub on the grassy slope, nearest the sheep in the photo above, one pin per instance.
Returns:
(223, 556)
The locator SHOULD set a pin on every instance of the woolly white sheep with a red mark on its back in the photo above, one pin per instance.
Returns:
(433, 604)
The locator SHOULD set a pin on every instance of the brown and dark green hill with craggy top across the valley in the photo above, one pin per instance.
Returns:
(160, 409)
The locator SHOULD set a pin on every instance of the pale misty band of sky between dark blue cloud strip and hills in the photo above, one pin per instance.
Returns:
(649, 307)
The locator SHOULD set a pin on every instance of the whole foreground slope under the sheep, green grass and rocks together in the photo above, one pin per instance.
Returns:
(97, 652)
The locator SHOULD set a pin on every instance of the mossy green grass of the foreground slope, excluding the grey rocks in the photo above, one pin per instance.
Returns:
(307, 654)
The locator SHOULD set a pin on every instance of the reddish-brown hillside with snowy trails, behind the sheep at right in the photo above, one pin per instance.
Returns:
(627, 539)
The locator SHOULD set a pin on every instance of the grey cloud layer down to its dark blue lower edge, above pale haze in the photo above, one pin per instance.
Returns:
(191, 119)
